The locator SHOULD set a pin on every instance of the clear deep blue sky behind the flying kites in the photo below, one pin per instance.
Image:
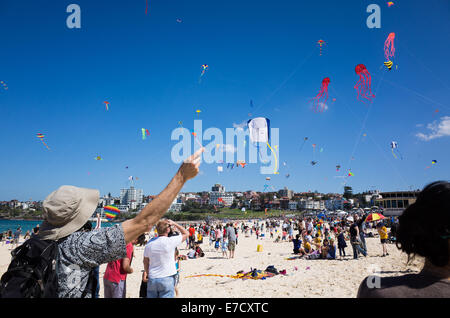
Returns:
(148, 67)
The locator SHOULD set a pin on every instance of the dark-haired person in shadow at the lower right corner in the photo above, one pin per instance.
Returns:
(423, 229)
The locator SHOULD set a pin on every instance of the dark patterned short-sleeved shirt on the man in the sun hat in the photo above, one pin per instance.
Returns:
(81, 252)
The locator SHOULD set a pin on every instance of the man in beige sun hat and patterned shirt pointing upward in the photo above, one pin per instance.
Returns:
(68, 208)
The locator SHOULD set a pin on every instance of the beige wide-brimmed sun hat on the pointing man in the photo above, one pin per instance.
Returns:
(66, 210)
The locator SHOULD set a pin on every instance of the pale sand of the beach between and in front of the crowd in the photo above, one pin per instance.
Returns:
(324, 278)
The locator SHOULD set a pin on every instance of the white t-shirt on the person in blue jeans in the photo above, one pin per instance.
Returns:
(161, 252)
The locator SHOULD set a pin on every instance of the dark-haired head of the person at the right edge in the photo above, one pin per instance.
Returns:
(424, 227)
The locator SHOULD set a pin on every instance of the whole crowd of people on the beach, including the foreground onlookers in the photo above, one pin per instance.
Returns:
(422, 229)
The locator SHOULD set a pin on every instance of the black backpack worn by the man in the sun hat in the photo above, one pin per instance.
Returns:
(32, 272)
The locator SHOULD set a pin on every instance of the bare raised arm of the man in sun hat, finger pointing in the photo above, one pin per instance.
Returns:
(159, 206)
